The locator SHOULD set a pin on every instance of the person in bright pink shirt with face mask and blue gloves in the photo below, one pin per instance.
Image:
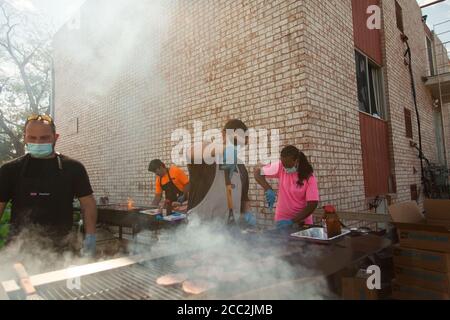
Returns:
(298, 195)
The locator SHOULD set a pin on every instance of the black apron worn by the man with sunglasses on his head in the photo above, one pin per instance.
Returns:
(43, 204)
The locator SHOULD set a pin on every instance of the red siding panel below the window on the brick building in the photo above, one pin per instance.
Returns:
(375, 149)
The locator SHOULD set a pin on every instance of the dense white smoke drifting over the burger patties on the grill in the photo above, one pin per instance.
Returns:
(270, 268)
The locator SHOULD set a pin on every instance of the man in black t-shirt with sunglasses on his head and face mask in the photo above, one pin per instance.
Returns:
(42, 186)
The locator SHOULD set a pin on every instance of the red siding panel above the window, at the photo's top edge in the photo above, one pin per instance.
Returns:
(366, 40)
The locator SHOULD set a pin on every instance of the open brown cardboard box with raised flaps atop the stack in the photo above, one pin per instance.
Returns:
(430, 232)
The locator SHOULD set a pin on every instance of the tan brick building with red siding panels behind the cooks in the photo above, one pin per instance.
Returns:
(128, 75)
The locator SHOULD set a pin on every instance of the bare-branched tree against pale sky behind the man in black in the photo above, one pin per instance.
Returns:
(25, 74)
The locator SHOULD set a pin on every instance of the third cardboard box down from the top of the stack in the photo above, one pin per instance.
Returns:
(423, 278)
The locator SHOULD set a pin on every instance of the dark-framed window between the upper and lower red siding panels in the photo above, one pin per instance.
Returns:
(370, 86)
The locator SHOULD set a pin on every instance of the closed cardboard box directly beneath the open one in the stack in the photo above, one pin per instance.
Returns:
(420, 259)
